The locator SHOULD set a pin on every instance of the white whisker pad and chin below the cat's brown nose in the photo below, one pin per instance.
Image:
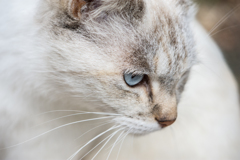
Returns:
(137, 127)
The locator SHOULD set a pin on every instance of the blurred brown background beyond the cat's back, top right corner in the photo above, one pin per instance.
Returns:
(221, 18)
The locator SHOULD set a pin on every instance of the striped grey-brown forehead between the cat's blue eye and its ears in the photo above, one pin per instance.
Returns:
(161, 43)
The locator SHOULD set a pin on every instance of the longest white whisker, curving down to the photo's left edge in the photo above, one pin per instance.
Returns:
(54, 130)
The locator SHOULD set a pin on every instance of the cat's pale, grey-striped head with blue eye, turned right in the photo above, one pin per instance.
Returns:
(132, 56)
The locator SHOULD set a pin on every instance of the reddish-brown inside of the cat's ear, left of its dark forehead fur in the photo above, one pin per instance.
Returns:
(77, 8)
